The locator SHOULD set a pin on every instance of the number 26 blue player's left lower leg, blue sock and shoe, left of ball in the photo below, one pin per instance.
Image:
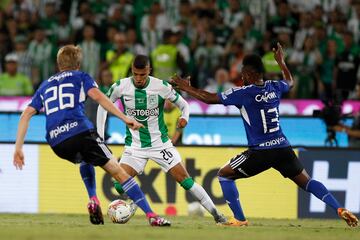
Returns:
(87, 172)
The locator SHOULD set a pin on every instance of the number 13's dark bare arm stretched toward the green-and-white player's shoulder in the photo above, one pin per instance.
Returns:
(204, 96)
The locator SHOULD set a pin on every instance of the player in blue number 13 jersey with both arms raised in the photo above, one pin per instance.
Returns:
(258, 102)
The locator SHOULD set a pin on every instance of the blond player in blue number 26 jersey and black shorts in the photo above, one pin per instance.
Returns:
(70, 133)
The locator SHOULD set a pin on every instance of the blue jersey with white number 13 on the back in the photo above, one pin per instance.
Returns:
(259, 107)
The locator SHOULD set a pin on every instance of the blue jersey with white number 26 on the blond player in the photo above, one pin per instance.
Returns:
(62, 96)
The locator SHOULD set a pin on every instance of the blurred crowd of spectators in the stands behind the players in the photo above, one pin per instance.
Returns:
(206, 39)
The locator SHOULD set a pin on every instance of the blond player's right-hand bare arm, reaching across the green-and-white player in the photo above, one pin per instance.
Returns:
(108, 105)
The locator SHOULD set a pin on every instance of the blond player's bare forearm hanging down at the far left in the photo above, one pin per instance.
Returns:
(23, 125)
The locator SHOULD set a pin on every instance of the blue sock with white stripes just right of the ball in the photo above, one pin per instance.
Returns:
(133, 190)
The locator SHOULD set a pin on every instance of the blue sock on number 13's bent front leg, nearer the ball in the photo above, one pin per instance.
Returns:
(231, 196)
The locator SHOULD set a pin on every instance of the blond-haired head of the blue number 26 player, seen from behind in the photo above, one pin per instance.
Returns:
(69, 57)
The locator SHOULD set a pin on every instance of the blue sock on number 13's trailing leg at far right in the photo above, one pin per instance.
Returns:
(321, 192)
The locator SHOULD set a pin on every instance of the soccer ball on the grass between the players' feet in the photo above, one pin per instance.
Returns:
(120, 211)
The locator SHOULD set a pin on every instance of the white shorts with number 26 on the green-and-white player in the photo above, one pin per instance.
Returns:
(167, 158)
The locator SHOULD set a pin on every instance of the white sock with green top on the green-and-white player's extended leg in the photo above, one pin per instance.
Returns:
(201, 195)
